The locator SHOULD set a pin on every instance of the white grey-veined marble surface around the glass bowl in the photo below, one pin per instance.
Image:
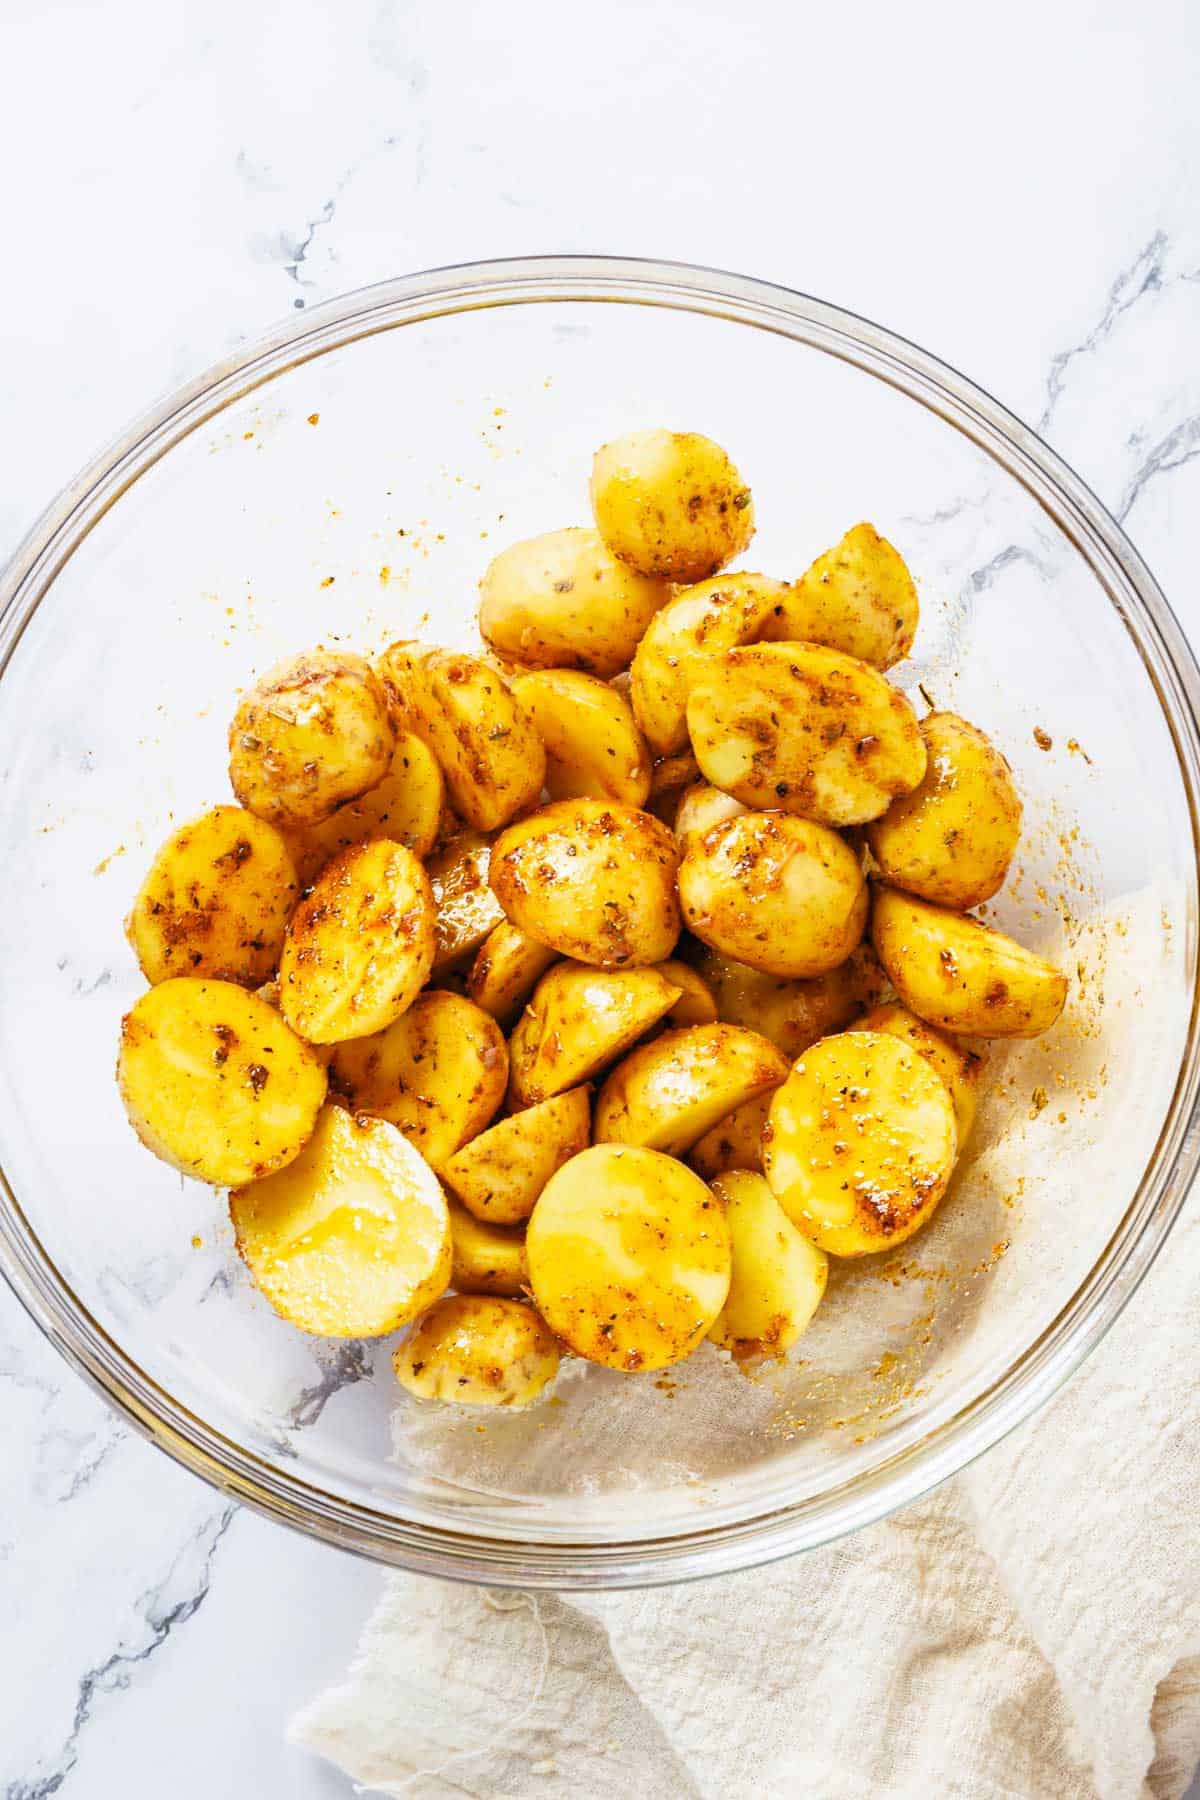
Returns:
(1017, 190)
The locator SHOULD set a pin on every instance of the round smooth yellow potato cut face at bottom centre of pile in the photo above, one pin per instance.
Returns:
(629, 1257)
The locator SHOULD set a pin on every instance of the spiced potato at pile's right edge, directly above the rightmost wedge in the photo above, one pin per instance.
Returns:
(953, 838)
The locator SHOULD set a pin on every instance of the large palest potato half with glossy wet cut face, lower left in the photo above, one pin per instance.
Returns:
(352, 1239)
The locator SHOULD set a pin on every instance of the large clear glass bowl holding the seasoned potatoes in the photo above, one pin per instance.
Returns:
(348, 480)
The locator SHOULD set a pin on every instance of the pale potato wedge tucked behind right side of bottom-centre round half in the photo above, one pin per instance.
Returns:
(780, 1275)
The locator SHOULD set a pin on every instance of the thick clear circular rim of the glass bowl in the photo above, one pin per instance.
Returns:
(960, 1432)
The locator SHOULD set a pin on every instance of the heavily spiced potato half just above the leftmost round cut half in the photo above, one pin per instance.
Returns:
(217, 901)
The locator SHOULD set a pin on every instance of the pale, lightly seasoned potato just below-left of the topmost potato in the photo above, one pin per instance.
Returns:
(564, 602)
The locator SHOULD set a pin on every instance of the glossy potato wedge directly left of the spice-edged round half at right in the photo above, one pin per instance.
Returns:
(667, 1095)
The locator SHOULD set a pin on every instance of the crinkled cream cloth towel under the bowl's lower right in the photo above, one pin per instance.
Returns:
(1030, 1632)
